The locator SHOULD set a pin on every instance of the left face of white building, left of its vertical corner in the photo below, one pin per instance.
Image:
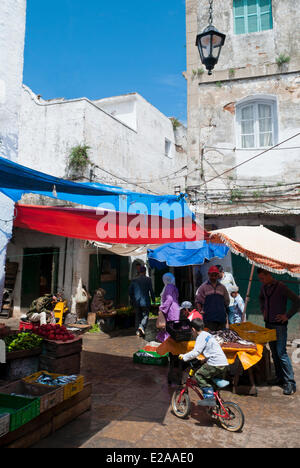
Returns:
(48, 131)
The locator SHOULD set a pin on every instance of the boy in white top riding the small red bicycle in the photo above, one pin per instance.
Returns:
(215, 365)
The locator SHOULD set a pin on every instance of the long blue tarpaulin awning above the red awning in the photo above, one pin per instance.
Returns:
(16, 180)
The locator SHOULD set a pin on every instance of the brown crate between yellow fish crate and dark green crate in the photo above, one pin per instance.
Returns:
(49, 397)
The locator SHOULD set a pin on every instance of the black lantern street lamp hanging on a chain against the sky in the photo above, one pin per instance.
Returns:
(210, 43)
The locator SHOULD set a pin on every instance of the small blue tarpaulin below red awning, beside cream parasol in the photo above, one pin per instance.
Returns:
(185, 254)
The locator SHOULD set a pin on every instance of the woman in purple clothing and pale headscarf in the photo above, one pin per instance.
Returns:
(169, 303)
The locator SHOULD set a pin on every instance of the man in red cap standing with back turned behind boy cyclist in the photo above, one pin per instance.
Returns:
(213, 300)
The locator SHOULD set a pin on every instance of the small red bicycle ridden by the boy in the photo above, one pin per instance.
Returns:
(227, 413)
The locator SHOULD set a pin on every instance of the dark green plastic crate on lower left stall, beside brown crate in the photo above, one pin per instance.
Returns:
(21, 409)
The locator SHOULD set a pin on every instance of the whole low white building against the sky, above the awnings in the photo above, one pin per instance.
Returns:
(133, 150)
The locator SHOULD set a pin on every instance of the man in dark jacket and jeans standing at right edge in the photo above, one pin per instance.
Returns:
(273, 300)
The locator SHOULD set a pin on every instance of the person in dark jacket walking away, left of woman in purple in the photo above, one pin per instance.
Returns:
(140, 292)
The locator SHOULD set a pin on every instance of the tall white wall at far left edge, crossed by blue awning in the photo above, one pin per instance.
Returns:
(12, 31)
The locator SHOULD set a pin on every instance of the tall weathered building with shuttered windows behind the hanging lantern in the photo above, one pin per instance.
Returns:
(244, 121)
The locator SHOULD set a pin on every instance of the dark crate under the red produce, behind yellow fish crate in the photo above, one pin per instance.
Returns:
(66, 365)
